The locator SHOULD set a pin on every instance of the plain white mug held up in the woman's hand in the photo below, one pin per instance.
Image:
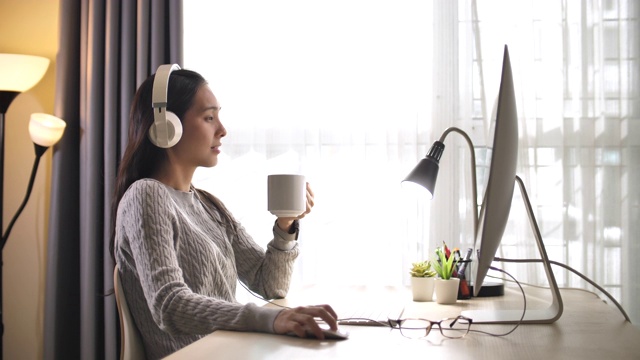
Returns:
(287, 195)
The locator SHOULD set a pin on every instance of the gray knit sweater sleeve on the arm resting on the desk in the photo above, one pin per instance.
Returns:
(153, 233)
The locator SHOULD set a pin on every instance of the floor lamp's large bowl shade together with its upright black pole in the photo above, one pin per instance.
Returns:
(18, 73)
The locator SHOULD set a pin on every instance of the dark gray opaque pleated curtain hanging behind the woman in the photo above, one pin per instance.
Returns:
(107, 48)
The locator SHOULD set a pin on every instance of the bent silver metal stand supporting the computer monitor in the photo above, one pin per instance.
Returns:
(536, 316)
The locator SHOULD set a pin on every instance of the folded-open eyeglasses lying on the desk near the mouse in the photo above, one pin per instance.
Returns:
(453, 328)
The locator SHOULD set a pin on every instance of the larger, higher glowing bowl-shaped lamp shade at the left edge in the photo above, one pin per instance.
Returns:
(20, 73)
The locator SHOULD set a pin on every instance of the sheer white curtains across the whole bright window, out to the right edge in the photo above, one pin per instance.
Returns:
(352, 94)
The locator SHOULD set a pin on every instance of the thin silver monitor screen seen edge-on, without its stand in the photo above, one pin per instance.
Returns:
(502, 173)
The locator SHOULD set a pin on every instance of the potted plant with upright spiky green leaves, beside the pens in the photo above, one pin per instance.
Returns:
(445, 264)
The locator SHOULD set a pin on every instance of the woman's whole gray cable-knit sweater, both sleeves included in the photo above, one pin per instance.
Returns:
(179, 267)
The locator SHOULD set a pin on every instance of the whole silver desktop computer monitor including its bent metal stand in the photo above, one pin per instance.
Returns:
(496, 207)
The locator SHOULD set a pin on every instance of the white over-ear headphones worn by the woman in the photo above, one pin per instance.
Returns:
(166, 129)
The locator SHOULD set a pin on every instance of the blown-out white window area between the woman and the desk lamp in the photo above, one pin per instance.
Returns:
(334, 90)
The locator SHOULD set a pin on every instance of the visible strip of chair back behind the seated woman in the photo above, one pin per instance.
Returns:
(131, 346)
